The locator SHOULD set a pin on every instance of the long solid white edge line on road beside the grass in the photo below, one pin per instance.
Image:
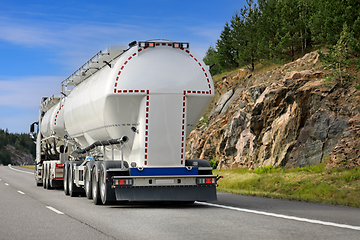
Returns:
(284, 216)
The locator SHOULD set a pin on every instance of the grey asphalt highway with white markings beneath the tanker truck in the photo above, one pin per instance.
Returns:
(30, 212)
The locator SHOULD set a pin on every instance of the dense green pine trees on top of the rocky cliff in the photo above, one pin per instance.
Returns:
(283, 30)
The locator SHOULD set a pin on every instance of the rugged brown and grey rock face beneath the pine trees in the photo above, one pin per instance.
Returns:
(287, 117)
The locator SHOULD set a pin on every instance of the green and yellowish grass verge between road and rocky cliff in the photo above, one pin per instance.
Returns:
(311, 184)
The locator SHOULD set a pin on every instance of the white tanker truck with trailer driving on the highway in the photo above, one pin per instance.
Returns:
(118, 130)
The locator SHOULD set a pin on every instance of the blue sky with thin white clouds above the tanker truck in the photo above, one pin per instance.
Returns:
(43, 42)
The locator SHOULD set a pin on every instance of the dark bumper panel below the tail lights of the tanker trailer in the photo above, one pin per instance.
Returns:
(166, 193)
